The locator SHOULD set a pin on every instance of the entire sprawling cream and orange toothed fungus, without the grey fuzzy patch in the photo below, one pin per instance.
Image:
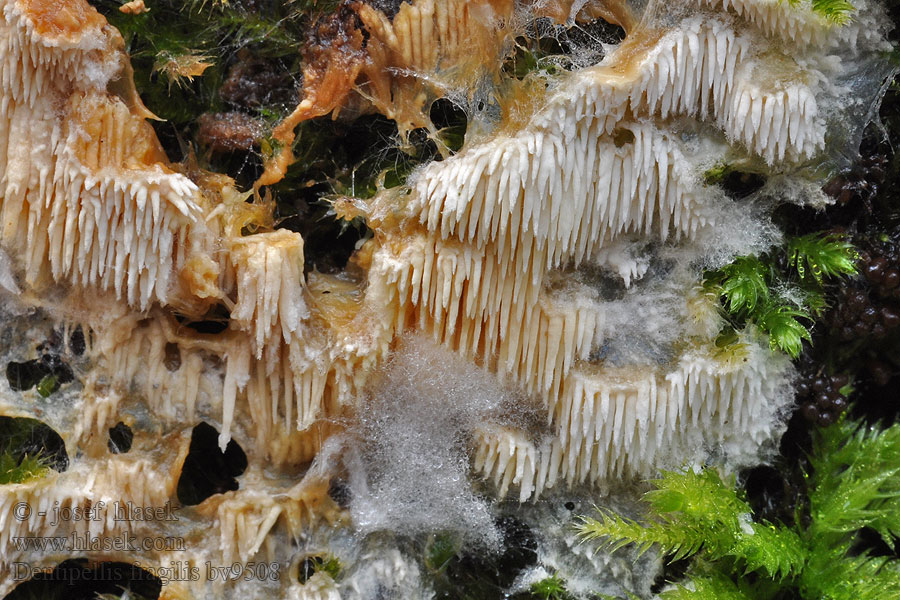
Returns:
(493, 252)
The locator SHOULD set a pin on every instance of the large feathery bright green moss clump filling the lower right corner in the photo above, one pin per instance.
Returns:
(854, 484)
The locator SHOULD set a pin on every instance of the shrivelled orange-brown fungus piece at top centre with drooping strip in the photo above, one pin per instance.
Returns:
(392, 64)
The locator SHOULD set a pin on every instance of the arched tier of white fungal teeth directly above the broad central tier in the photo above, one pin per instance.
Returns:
(702, 68)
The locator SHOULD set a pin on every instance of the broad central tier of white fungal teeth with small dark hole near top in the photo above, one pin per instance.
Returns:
(635, 161)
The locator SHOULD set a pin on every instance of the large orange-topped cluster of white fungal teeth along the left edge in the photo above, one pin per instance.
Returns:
(68, 180)
